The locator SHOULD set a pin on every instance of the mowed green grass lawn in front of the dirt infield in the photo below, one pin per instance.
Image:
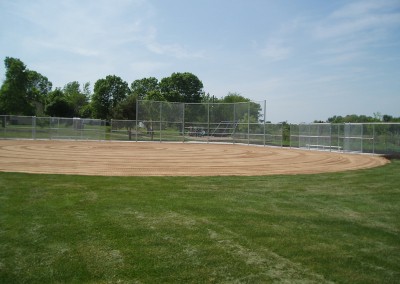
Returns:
(342, 227)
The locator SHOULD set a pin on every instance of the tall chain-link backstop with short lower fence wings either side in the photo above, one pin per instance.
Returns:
(199, 122)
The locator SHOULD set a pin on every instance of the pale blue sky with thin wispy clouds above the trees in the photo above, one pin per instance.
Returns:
(309, 60)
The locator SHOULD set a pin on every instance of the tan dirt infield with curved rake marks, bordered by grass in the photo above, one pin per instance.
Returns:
(170, 159)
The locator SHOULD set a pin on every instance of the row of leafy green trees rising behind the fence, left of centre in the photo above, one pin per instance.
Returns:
(27, 92)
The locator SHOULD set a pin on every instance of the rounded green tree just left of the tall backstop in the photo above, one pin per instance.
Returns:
(108, 93)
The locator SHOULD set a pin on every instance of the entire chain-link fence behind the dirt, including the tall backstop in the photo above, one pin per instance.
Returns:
(242, 123)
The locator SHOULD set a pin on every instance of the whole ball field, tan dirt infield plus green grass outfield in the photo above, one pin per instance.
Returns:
(112, 212)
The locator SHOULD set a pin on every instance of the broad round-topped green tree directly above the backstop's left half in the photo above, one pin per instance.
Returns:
(182, 87)
